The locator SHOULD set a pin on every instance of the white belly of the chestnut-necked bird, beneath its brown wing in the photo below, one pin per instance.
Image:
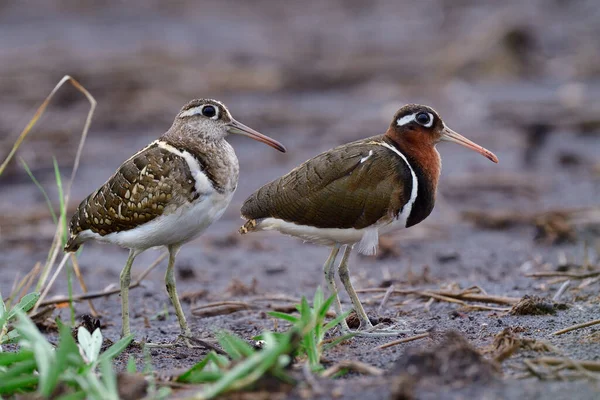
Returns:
(321, 236)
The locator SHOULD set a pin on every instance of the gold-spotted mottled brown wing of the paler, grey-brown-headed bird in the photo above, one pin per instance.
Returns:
(147, 185)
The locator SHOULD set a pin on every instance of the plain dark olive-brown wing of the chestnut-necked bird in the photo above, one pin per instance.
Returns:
(351, 186)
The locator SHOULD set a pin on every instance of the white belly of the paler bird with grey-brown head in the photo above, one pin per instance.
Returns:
(178, 227)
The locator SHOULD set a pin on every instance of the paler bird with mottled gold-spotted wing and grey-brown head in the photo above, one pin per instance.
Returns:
(166, 194)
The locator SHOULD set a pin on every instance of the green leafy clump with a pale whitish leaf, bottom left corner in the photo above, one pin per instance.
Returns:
(69, 371)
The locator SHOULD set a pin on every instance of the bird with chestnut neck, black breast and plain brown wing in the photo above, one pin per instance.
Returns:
(347, 196)
